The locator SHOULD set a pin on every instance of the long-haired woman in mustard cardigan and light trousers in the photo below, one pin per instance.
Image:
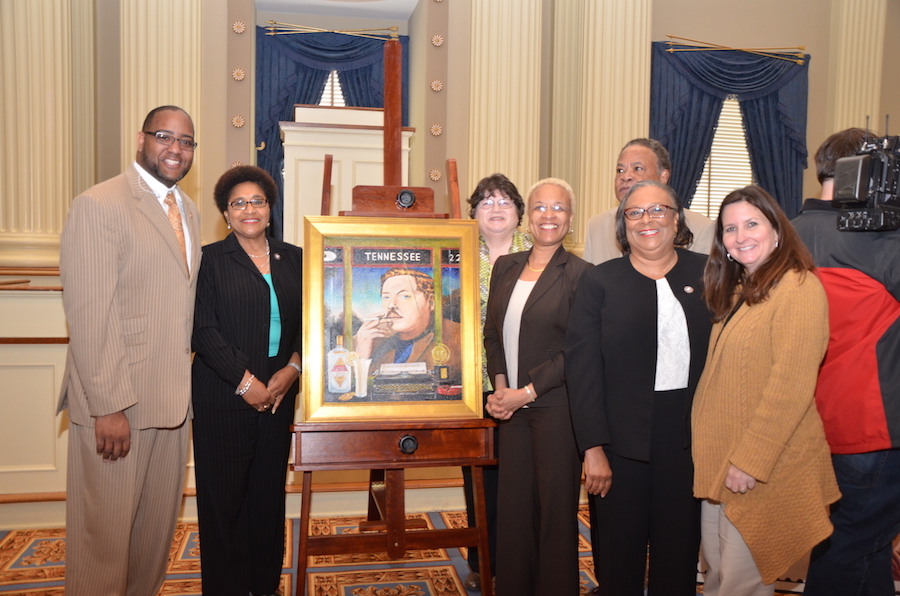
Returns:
(761, 463)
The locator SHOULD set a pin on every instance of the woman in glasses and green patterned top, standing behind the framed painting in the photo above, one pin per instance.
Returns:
(498, 207)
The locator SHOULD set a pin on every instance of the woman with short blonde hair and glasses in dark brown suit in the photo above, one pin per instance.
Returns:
(528, 306)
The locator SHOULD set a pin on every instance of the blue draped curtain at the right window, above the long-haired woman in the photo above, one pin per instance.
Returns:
(687, 91)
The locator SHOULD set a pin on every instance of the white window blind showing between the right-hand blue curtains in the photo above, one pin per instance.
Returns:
(728, 165)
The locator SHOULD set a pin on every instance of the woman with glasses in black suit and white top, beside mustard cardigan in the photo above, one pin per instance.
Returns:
(635, 348)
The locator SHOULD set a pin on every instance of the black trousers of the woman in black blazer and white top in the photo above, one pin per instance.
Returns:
(650, 502)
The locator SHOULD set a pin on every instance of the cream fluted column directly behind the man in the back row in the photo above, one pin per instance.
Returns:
(616, 42)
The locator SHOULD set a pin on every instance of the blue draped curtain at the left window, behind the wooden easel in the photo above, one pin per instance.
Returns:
(292, 69)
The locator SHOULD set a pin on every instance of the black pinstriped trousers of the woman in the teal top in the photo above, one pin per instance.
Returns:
(240, 464)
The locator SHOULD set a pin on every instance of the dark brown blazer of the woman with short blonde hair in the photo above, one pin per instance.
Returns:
(543, 326)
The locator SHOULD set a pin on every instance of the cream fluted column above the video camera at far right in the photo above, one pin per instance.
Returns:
(854, 82)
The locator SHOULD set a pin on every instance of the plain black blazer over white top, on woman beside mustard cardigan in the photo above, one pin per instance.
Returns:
(611, 352)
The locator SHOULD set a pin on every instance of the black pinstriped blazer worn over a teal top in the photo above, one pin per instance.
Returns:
(231, 319)
